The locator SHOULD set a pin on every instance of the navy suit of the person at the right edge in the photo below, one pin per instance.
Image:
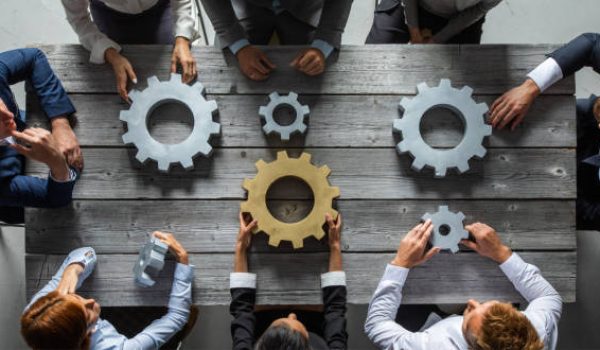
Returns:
(584, 51)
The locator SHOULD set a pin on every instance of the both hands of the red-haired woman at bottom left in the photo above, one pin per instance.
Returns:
(70, 277)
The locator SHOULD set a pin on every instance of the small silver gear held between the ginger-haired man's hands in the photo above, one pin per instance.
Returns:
(453, 222)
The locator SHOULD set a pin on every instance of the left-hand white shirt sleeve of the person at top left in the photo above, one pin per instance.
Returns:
(89, 35)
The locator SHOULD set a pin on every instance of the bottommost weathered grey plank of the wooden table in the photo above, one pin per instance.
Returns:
(294, 278)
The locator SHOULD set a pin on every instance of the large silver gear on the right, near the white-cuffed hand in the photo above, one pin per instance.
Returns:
(458, 101)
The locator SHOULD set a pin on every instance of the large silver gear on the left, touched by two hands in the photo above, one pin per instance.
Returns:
(156, 94)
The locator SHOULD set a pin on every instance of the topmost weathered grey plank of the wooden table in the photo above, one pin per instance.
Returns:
(372, 69)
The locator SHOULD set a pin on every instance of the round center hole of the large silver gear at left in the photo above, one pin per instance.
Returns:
(170, 122)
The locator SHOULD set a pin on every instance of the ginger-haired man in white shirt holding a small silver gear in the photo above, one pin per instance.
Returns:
(489, 325)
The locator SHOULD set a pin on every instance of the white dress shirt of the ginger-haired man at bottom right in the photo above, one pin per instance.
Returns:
(543, 311)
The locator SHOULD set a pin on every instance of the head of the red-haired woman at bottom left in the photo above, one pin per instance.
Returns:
(58, 321)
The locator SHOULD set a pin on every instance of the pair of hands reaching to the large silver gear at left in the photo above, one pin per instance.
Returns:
(124, 70)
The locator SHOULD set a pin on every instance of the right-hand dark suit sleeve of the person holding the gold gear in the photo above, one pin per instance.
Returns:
(334, 332)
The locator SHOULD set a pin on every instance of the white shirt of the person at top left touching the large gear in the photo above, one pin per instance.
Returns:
(78, 15)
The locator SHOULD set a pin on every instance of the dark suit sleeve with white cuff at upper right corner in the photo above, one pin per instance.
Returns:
(583, 51)
